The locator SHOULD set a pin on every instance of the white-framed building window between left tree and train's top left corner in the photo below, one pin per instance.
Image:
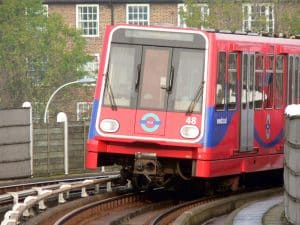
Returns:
(88, 19)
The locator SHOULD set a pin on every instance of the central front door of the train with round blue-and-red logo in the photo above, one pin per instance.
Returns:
(153, 93)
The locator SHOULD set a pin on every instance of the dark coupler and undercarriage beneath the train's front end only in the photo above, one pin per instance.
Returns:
(145, 170)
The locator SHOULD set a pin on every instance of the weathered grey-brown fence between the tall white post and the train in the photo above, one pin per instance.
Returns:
(48, 149)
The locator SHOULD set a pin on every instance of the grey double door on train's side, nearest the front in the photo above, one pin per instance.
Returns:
(246, 103)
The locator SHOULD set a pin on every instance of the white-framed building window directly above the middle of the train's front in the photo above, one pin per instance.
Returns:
(138, 14)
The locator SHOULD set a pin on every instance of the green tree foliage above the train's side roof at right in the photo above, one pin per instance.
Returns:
(228, 15)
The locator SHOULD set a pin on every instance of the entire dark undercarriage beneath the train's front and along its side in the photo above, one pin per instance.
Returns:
(147, 171)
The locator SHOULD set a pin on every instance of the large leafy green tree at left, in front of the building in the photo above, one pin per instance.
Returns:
(37, 52)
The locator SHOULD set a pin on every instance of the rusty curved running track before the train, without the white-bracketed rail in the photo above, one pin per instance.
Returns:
(143, 209)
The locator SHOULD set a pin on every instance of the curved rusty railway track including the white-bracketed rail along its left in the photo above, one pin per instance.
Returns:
(111, 207)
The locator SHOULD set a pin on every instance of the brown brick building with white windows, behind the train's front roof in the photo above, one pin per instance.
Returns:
(92, 16)
